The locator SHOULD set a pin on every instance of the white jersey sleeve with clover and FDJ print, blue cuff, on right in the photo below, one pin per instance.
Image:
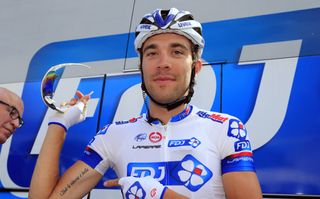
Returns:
(235, 147)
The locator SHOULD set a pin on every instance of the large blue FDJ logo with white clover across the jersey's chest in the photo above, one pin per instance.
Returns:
(188, 172)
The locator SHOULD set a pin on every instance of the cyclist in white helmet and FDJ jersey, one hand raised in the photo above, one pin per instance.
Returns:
(175, 150)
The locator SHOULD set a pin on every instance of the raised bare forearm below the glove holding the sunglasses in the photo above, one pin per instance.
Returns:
(46, 173)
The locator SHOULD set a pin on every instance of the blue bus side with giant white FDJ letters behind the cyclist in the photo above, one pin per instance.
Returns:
(268, 94)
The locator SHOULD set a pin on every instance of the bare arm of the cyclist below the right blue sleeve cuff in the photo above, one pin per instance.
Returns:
(241, 185)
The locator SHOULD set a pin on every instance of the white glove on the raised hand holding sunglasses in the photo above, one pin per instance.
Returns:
(72, 115)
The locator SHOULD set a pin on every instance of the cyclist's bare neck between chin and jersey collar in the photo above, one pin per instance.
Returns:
(162, 113)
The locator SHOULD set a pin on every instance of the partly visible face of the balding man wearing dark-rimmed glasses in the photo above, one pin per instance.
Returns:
(7, 124)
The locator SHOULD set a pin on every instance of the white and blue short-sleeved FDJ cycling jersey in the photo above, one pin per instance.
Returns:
(188, 155)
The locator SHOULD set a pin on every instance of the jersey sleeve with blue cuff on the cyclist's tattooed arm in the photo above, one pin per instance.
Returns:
(96, 154)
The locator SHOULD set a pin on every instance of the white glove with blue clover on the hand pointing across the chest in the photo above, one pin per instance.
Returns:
(142, 188)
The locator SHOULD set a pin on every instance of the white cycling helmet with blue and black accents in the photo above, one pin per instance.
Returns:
(169, 21)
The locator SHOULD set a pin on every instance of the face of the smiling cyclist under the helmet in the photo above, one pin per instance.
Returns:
(166, 65)
